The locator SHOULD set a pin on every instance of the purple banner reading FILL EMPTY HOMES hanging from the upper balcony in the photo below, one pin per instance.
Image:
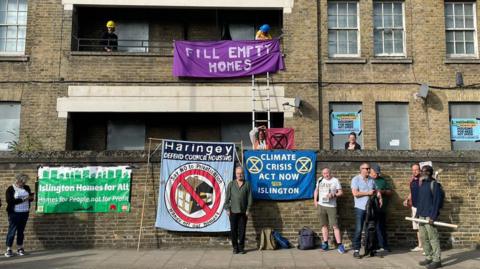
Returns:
(226, 59)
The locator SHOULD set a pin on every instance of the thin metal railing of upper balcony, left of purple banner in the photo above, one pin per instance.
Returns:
(162, 48)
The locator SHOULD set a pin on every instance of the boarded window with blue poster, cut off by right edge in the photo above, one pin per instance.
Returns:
(465, 126)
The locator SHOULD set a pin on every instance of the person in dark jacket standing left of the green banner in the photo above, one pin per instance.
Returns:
(18, 197)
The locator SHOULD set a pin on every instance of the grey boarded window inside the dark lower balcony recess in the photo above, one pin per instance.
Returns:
(125, 135)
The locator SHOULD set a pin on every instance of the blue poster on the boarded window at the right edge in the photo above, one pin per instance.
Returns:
(467, 129)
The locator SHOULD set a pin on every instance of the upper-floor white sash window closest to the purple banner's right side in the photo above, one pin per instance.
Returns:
(343, 34)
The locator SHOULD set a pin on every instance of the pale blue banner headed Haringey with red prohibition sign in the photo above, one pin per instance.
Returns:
(193, 180)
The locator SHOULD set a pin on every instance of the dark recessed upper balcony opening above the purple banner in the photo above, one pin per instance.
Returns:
(152, 31)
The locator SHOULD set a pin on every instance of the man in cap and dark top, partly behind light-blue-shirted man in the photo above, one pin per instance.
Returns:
(382, 186)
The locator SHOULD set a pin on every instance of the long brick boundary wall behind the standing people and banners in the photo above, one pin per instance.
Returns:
(460, 175)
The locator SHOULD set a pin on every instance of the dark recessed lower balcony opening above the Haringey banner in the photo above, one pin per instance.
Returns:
(130, 131)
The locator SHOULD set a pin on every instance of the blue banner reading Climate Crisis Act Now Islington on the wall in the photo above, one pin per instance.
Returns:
(281, 174)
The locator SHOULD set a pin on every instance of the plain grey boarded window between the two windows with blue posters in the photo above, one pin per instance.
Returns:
(392, 126)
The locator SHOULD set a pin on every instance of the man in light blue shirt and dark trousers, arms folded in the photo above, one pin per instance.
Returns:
(362, 188)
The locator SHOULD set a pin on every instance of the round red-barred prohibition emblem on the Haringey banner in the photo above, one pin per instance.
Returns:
(194, 195)
